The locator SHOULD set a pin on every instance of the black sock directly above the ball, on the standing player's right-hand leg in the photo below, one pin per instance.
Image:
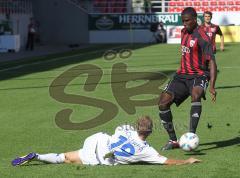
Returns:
(195, 114)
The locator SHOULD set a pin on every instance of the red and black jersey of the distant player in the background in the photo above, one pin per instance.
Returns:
(212, 30)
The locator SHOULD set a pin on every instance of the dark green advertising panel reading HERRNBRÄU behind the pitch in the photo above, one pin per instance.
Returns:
(133, 21)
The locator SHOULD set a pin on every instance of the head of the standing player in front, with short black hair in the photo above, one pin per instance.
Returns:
(189, 18)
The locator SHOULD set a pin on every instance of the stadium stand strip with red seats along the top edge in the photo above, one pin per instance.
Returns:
(172, 6)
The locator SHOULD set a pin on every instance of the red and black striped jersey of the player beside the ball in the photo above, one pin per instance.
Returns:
(196, 53)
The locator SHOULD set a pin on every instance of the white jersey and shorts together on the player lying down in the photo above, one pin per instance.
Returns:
(125, 144)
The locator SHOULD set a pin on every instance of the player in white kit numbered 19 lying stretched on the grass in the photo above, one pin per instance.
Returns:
(128, 145)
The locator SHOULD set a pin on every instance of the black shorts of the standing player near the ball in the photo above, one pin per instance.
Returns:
(181, 87)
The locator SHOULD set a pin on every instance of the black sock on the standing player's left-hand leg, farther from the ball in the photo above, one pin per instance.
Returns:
(166, 120)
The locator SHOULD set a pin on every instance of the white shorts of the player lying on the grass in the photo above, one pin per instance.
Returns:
(94, 149)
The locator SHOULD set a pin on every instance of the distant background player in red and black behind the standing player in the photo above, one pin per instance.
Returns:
(212, 30)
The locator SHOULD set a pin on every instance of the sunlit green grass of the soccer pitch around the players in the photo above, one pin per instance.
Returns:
(28, 115)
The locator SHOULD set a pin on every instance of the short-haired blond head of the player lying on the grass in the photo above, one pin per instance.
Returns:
(144, 126)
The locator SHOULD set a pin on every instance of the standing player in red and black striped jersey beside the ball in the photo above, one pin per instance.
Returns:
(197, 67)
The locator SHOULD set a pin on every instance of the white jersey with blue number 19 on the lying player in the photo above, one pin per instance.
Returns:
(129, 148)
